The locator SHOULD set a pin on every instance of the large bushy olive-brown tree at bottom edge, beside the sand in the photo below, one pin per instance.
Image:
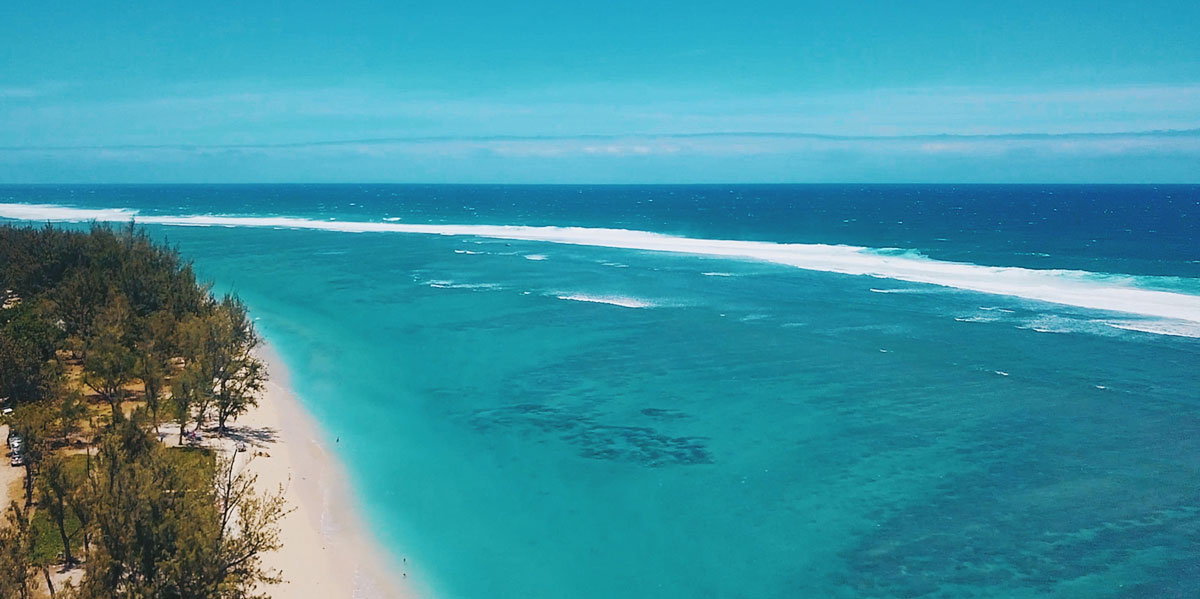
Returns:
(165, 530)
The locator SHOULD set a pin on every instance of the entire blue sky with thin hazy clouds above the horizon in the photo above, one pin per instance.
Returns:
(601, 92)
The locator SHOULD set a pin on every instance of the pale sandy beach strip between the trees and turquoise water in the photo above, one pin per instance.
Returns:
(328, 550)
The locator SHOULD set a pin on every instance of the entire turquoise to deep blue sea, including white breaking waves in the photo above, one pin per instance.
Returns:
(833, 412)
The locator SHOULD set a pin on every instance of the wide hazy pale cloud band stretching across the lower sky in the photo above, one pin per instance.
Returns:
(265, 117)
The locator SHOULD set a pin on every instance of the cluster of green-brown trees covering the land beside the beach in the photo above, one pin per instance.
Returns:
(113, 362)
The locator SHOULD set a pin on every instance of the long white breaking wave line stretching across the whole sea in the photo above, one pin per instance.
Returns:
(1078, 289)
